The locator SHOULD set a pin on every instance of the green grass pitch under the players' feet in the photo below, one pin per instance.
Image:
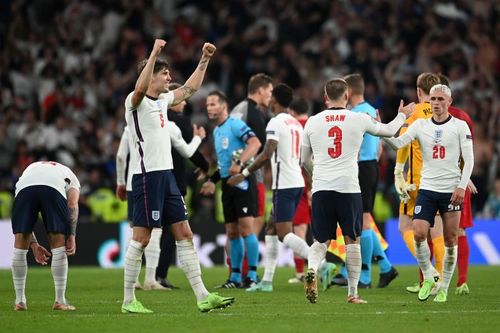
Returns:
(97, 294)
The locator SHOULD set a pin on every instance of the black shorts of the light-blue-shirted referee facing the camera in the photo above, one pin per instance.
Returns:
(239, 201)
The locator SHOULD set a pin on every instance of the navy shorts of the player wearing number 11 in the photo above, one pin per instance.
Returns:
(285, 204)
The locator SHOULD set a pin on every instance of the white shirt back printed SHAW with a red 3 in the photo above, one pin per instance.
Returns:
(335, 137)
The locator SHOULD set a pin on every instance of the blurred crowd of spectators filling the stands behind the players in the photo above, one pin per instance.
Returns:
(66, 67)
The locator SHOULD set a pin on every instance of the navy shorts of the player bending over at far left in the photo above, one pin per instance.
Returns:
(40, 199)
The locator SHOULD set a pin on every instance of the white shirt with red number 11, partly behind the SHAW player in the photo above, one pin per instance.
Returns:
(285, 162)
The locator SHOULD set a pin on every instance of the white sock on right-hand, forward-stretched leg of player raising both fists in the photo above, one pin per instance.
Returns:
(190, 265)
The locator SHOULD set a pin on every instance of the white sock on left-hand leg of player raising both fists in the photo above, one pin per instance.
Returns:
(133, 261)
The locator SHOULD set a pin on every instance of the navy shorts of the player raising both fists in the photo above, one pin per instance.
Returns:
(157, 200)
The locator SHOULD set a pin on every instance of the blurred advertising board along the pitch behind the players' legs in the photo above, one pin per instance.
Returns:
(104, 245)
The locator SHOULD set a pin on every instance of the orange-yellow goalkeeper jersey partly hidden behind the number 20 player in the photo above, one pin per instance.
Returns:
(412, 151)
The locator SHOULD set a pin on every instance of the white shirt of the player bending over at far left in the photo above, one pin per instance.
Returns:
(48, 173)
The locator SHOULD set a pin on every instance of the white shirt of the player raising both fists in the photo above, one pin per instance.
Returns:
(150, 133)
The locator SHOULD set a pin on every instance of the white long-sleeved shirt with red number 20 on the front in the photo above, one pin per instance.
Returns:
(442, 145)
